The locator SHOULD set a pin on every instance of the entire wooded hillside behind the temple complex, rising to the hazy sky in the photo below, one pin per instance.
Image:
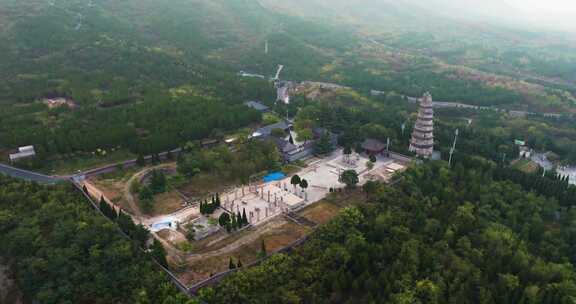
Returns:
(122, 64)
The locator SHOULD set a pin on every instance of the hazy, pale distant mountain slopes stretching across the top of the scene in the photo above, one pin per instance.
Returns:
(90, 49)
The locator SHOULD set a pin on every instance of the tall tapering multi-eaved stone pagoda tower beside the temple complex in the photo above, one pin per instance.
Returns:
(422, 142)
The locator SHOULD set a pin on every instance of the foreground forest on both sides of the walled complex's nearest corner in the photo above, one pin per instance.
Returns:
(477, 233)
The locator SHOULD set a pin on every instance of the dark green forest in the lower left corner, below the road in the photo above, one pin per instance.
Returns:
(63, 251)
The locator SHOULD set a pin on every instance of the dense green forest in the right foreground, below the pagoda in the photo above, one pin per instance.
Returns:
(438, 236)
